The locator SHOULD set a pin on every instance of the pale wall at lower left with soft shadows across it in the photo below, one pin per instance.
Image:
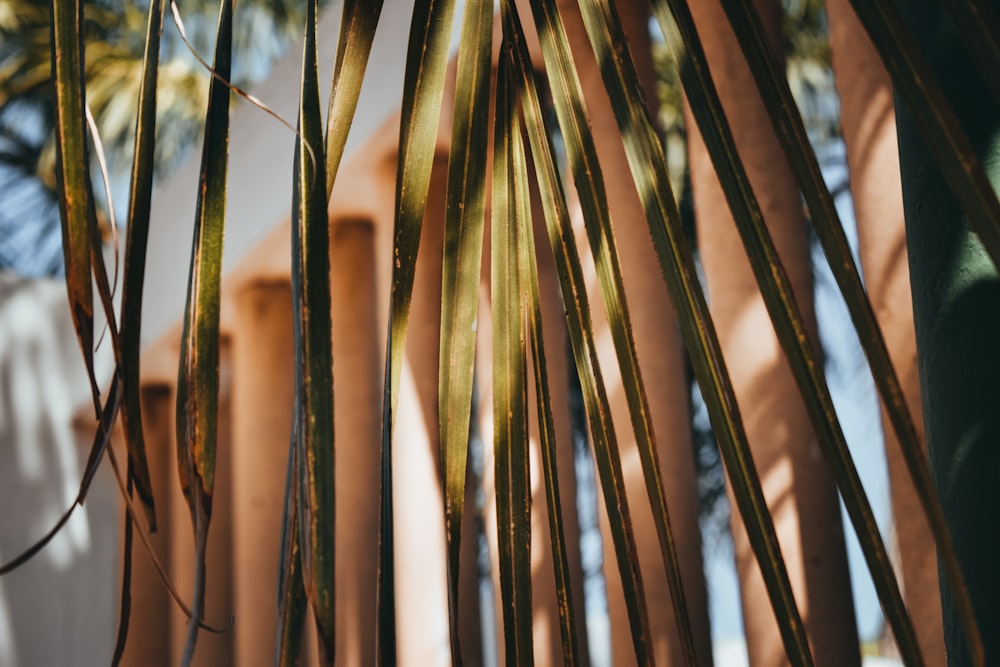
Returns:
(59, 608)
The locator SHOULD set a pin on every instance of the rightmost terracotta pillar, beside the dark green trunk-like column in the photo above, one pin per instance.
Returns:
(868, 123)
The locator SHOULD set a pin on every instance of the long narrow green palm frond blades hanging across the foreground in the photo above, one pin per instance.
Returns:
(308, 538)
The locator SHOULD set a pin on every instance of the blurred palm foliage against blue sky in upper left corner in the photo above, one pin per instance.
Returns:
(115, 35)
